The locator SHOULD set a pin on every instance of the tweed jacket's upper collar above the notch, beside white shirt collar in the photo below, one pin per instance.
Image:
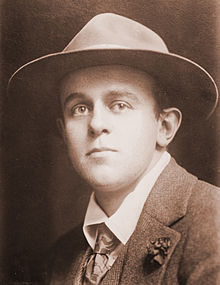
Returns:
(169, 197)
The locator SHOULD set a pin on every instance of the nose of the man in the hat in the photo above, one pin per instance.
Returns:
(99, 122)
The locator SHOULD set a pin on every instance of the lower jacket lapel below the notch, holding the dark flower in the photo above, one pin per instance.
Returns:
(139, 269)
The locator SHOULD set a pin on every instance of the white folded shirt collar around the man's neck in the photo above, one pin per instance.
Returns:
(123, 222)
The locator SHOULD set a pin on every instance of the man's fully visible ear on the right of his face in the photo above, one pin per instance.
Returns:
(169, 122)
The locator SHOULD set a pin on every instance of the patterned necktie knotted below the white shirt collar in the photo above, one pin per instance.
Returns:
(105, 253)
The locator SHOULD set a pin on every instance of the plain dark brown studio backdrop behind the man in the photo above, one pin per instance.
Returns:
(42, 197)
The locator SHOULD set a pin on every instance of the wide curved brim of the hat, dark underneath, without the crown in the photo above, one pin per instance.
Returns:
(32, 88)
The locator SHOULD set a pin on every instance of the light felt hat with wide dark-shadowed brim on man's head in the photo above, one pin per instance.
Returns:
(111, 39)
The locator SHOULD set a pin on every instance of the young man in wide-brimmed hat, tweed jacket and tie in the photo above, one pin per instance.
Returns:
(122, 97)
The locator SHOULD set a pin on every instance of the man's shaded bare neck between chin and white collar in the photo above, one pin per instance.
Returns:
(111, 200)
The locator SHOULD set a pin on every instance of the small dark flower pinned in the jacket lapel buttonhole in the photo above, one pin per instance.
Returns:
(157, 250)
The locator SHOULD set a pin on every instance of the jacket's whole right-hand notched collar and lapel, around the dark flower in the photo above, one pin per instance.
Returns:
(166, 204)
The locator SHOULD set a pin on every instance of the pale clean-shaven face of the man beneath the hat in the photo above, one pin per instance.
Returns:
(110, 126)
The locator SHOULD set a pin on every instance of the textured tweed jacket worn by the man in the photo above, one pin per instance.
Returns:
(180, 208)
